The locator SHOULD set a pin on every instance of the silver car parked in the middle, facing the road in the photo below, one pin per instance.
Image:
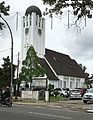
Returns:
(75, 94)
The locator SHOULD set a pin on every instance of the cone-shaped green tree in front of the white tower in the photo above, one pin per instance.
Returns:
(31, 67)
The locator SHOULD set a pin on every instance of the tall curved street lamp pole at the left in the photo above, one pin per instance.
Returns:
(11, 52)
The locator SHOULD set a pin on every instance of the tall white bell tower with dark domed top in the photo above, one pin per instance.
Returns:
(33, 31)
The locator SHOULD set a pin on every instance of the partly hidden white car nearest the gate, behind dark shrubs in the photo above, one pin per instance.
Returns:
(61, 92)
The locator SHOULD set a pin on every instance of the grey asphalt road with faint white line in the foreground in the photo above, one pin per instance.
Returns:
(25, 112)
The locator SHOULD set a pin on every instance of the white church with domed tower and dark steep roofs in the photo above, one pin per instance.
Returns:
(61, 70)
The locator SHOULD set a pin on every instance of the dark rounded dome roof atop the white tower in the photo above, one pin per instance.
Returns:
(33, 9)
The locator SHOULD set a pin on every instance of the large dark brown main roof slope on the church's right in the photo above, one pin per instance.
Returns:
(63, 64)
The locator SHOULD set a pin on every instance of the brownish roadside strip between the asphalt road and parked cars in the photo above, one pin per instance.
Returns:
(70, 104)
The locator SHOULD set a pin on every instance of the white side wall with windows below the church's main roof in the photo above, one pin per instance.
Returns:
(67, 82)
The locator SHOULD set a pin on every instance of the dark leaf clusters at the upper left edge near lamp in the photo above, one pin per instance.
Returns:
(3, 10)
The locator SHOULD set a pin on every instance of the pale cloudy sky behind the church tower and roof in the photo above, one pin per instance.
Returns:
(78, 44)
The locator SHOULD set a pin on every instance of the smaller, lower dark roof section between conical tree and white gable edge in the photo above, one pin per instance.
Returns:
(48, 70)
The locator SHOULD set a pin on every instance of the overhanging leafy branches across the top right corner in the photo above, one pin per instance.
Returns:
(81, 8)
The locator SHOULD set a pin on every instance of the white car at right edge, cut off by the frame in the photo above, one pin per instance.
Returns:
(88, 96)
